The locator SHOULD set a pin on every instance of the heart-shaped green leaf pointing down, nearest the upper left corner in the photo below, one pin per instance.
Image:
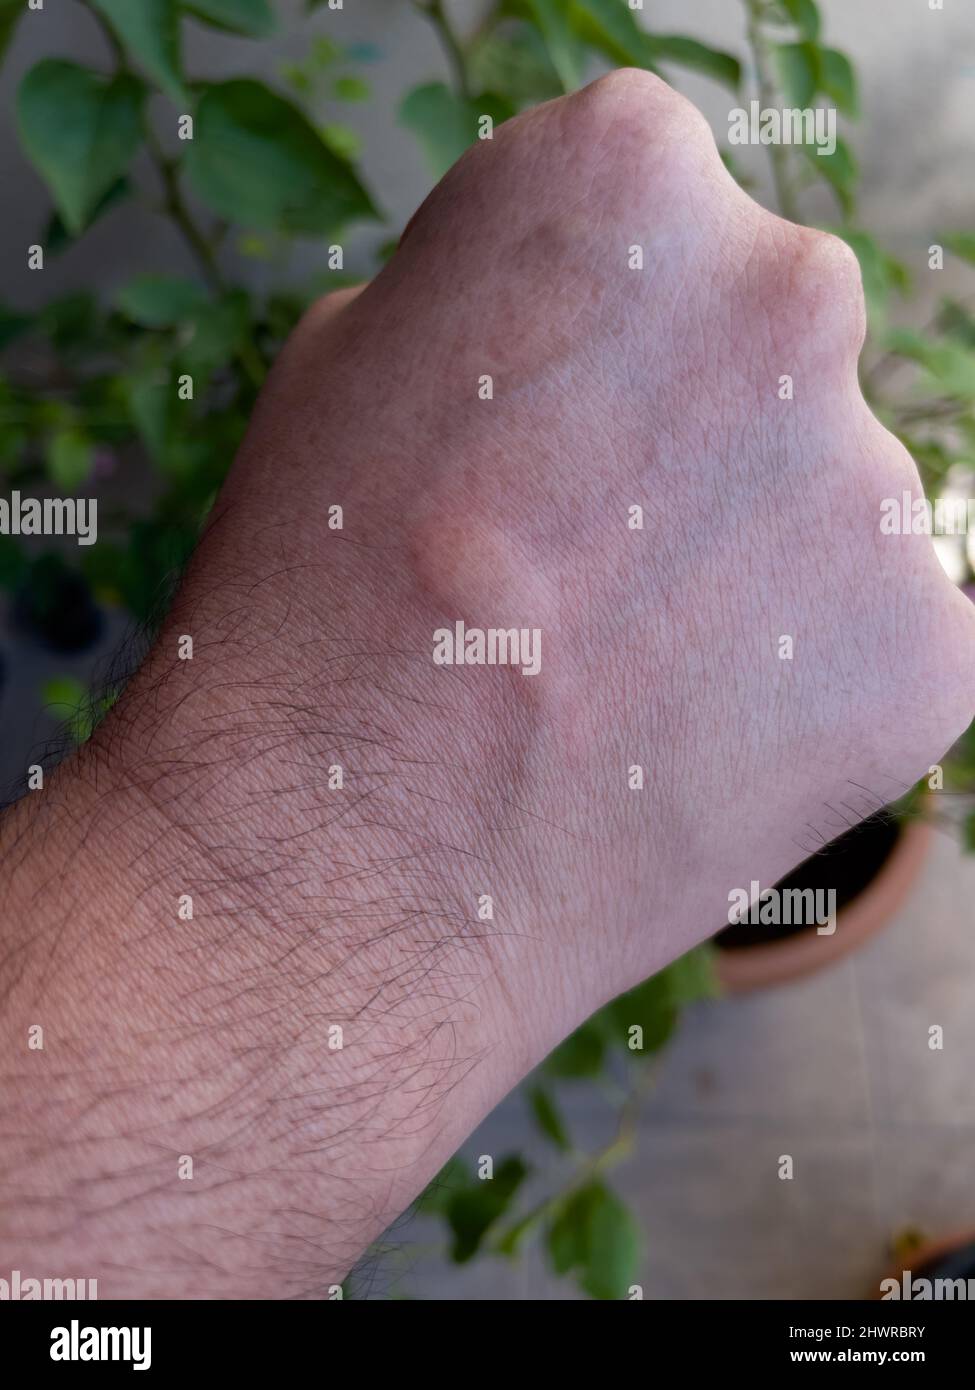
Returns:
(81, 131)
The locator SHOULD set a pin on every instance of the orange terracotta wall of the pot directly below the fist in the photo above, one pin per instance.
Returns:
(756, 967)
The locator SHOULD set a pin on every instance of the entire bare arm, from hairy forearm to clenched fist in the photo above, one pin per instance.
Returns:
(312, 648)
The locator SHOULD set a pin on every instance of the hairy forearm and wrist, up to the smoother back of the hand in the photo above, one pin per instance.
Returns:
(335, 1017)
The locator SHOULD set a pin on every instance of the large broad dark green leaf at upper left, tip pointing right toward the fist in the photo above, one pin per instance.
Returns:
(258, 162)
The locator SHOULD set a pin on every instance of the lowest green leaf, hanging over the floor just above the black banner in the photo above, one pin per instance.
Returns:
(595, 1238)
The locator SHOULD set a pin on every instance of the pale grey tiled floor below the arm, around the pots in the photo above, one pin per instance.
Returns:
(837, 1072)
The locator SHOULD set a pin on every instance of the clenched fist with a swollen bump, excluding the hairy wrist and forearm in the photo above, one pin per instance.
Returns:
(777, 667)
